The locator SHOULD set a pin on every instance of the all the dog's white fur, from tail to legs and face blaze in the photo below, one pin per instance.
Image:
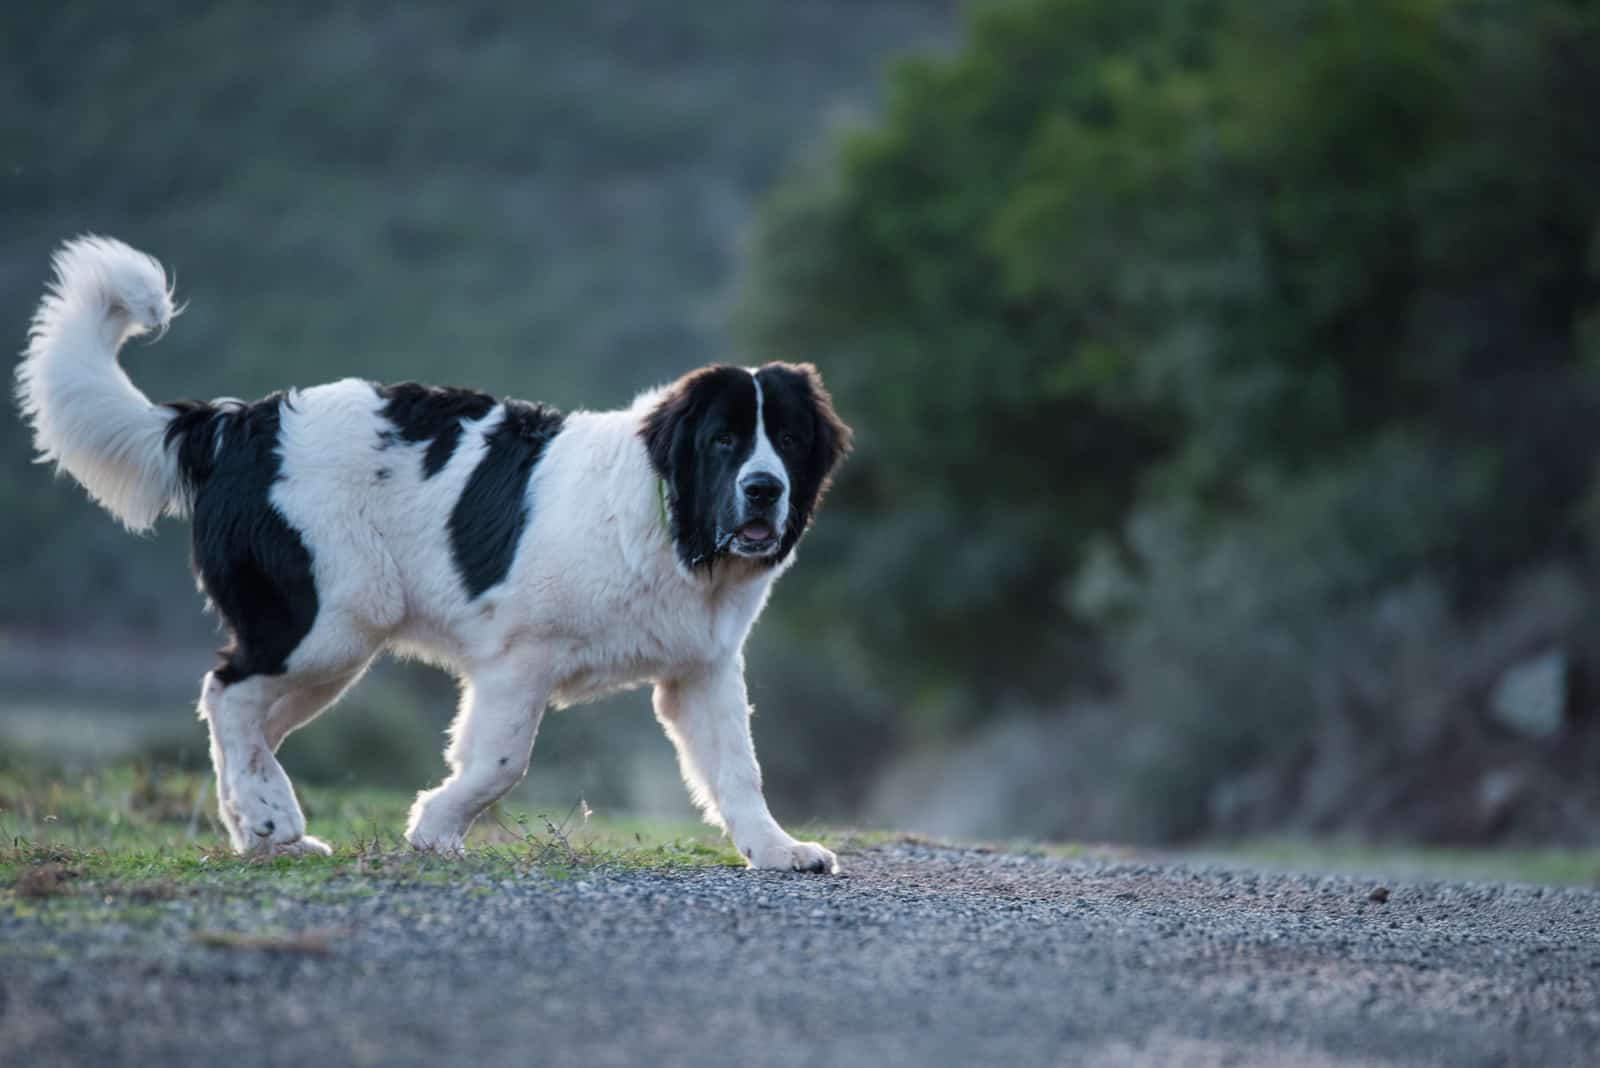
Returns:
(596, 600)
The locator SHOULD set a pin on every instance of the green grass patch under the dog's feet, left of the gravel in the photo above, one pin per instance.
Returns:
(146, 835)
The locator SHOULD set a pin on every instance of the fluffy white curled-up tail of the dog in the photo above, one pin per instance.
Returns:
(89, 420)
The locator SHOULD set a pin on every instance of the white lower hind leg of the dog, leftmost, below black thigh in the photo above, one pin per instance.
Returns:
(255, 797)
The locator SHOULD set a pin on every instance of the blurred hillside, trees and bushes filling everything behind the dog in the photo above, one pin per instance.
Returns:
(1226, 377)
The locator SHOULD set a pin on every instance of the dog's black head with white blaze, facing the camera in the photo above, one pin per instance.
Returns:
(746, 456)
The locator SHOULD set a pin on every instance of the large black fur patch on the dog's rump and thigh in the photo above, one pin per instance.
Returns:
(252, 564)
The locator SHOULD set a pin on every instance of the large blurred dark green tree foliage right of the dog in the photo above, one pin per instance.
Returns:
(1324, 268)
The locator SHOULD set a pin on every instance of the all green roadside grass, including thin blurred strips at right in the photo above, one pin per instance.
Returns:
(134, 837)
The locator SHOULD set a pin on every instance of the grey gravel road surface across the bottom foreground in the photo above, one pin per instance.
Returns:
(914, 957)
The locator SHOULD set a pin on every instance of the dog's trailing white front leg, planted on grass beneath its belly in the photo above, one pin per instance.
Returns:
(490, 744)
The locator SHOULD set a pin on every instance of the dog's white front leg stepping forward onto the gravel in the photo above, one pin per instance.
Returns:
(708, 717)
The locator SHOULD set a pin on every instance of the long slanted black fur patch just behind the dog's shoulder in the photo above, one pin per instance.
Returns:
(494, 509)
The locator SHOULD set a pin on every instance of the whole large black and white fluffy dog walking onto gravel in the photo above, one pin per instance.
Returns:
(543, 559)
